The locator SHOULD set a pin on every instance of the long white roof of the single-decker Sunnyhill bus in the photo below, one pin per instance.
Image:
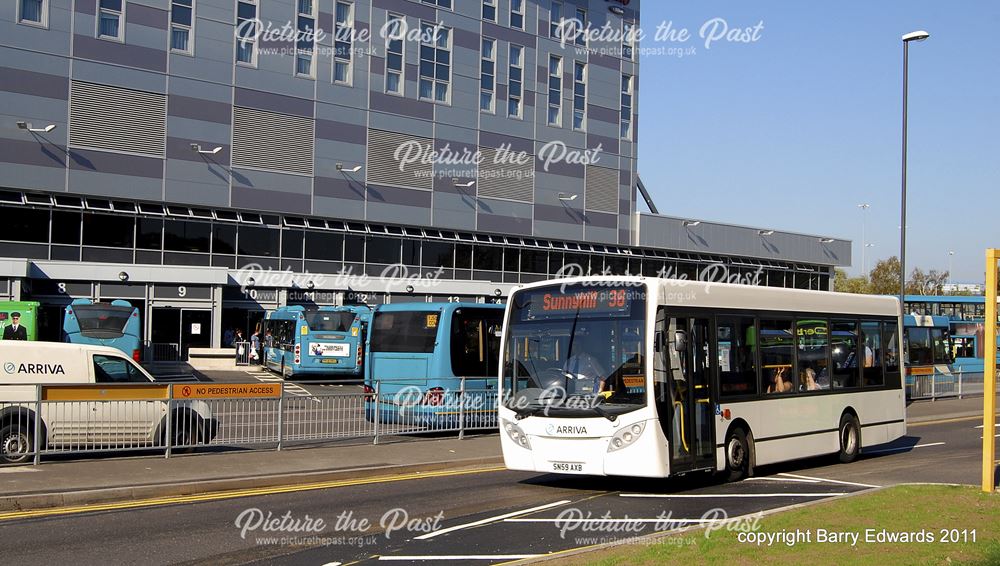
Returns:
(693, 294)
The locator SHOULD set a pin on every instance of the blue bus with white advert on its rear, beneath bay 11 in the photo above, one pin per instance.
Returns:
(319, 342)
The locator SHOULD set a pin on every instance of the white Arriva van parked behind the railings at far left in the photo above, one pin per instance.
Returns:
(67, 425)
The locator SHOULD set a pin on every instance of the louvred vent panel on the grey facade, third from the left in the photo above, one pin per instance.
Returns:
(383, 167)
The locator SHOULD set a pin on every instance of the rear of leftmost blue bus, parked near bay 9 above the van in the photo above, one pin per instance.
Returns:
(116, 324)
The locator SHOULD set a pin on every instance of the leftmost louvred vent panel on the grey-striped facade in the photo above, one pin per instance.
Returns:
(117, 119)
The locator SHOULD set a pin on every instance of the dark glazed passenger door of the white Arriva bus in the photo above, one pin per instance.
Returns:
(691, 429)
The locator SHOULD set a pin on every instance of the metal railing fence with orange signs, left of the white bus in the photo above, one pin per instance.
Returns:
(185, 416)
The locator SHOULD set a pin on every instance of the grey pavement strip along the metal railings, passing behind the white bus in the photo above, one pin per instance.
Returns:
(110, 477)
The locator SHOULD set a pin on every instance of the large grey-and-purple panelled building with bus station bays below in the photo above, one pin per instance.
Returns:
(169, 153)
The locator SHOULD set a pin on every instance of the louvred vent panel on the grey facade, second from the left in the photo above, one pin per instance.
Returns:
(269, 140)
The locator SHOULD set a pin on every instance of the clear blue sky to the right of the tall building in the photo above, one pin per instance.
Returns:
(793, 131)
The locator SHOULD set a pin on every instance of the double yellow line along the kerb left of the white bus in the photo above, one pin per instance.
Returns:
(221, 495)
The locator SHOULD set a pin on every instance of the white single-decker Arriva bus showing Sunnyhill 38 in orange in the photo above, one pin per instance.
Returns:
(650, 377)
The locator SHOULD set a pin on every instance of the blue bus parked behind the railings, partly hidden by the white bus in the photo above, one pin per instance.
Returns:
(418, 354)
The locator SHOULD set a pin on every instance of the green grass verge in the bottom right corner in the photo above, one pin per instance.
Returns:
(946, 515)
